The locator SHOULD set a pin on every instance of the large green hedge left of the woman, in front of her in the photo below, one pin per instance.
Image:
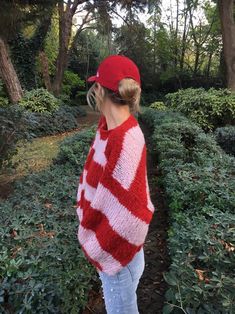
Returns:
(42, 267)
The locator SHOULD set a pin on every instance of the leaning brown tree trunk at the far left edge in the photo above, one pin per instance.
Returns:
(8, 74)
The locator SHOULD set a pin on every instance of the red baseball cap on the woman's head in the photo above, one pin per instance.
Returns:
(113, 69)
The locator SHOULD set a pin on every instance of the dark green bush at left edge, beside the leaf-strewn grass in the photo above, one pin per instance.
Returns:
(13, 128)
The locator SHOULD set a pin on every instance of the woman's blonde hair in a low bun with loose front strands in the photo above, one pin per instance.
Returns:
(129, 93)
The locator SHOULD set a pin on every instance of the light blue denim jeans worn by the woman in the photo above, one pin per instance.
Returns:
(119, 290)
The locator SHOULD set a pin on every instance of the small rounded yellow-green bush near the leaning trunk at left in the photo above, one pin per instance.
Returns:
(39, 100)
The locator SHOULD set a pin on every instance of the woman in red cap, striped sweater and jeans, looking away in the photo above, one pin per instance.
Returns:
(113, 202)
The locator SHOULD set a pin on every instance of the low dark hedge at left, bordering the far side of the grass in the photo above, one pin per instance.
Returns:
(18, 125)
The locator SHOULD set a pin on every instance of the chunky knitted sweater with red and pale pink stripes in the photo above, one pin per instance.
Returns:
(113, 201)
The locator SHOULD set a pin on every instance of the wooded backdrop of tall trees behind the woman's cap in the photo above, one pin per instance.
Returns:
(176, 44)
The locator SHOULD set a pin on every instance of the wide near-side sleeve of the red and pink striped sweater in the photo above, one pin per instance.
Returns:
(123, 201)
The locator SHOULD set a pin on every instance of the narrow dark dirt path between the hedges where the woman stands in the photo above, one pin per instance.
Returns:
(152, 286)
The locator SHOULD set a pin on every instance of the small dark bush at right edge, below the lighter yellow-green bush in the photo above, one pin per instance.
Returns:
(226, 138)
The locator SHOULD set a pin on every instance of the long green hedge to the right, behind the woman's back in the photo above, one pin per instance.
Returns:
(198, 179)
